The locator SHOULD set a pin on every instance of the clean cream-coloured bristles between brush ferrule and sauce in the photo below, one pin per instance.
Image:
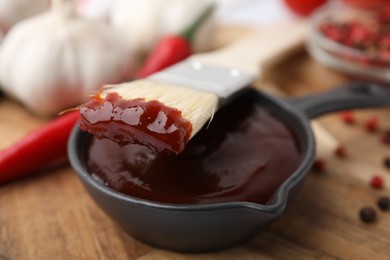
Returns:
(196, 106)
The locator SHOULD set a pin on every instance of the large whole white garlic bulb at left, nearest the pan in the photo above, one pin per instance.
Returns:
(55, 60)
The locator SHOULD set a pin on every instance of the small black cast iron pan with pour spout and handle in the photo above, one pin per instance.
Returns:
(199, 228)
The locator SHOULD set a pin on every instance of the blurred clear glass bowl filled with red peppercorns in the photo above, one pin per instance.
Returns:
(352, 40)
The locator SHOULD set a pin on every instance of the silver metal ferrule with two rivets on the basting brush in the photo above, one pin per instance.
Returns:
(206, 77)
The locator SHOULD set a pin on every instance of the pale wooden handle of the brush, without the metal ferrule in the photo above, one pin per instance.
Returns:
(259, 50)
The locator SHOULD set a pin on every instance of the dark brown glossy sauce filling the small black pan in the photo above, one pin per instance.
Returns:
(245, 154)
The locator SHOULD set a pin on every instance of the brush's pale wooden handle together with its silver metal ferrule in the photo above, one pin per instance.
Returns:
(228, 70)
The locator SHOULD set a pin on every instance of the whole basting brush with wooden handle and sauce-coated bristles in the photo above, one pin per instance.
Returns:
(165, 110)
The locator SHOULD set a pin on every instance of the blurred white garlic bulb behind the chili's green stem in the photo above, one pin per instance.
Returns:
(144, 22)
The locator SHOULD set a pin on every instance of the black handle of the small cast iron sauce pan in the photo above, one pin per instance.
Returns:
(353, 95)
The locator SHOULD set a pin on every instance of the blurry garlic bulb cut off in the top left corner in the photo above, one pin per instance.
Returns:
(12, 11)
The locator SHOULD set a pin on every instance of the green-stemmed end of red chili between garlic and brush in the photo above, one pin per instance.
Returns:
(172, 49)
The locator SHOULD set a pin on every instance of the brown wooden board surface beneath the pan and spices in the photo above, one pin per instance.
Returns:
(50, 216)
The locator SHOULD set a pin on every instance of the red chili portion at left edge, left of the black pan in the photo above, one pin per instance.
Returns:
(42, 147)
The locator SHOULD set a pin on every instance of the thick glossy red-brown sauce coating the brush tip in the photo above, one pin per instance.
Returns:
(136, 121)
